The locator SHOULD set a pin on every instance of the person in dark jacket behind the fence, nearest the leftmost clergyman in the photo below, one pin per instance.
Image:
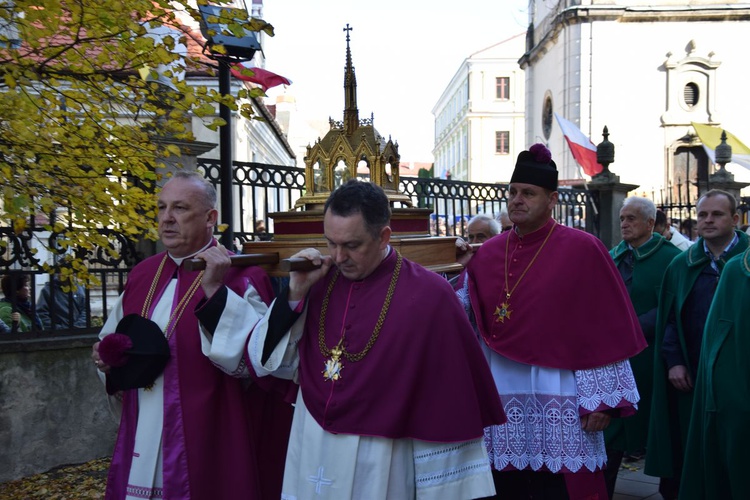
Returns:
(61, 310)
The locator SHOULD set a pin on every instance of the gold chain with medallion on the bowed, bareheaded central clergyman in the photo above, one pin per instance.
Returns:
(333, 366)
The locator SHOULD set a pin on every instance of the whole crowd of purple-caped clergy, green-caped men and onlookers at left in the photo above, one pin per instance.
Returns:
(529, 375)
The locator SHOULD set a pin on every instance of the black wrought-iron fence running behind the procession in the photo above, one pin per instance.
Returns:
(259, 190)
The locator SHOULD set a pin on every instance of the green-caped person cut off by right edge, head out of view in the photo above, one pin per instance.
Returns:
(716, 460)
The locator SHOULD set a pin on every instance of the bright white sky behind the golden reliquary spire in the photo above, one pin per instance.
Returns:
(404, 52)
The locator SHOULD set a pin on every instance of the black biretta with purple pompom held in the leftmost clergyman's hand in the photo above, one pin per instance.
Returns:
(137, 353)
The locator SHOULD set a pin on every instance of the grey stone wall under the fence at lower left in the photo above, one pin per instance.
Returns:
(53, 408)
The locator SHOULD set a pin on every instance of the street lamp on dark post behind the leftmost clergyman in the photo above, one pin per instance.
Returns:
(225, 47)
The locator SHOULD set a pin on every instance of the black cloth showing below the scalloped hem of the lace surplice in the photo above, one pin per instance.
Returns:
(529, 485)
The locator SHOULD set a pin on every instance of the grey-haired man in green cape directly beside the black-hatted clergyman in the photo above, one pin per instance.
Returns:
(641, 258)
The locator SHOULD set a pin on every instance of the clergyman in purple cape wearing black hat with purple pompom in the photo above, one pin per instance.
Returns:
(560, 372)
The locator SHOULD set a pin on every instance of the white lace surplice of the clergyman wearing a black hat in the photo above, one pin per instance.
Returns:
(543, 405)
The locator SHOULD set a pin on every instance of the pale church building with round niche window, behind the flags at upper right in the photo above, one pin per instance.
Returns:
(646, 70)
